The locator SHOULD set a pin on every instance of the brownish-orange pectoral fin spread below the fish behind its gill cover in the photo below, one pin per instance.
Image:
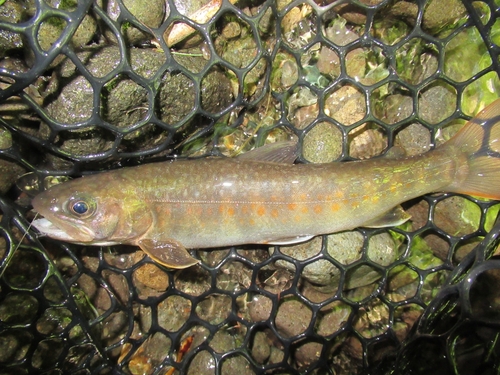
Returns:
(170, 253)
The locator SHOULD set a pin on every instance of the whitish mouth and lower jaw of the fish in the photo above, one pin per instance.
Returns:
(48, 228)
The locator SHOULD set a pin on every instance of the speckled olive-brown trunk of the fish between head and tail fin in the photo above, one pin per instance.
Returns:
(222, 202)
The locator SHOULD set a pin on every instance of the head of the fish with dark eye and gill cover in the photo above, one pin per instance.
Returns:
(89, 211)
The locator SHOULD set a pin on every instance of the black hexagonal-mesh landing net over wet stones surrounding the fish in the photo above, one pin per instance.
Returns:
(88, 86)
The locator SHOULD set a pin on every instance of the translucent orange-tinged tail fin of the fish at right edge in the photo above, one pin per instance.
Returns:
(479, 140)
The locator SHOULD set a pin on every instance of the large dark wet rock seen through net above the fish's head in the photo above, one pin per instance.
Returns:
(124, 103)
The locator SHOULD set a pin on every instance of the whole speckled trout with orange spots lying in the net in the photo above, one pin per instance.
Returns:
(263, 197)
